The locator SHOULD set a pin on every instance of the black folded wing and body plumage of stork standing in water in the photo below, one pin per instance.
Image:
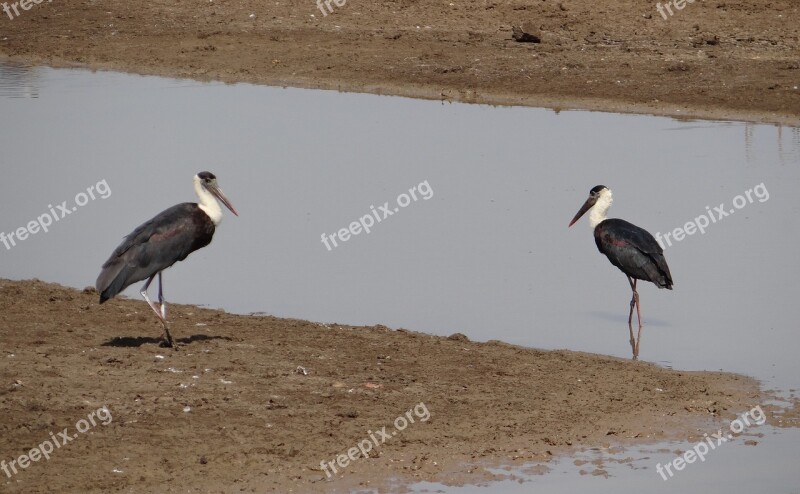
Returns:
(634, 251)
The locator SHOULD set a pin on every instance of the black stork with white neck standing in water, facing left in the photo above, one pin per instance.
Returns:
(630, 248)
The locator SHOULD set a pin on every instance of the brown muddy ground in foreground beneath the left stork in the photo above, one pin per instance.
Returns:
(254, 404)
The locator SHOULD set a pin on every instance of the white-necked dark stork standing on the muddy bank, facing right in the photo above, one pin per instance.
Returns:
(159, 243)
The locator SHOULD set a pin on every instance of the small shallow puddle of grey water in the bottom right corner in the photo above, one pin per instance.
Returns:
(734, 467)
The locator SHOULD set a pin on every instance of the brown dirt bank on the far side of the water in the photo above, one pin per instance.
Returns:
(736, 59)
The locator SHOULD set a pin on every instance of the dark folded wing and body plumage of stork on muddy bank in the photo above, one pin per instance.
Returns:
(154, 246)
